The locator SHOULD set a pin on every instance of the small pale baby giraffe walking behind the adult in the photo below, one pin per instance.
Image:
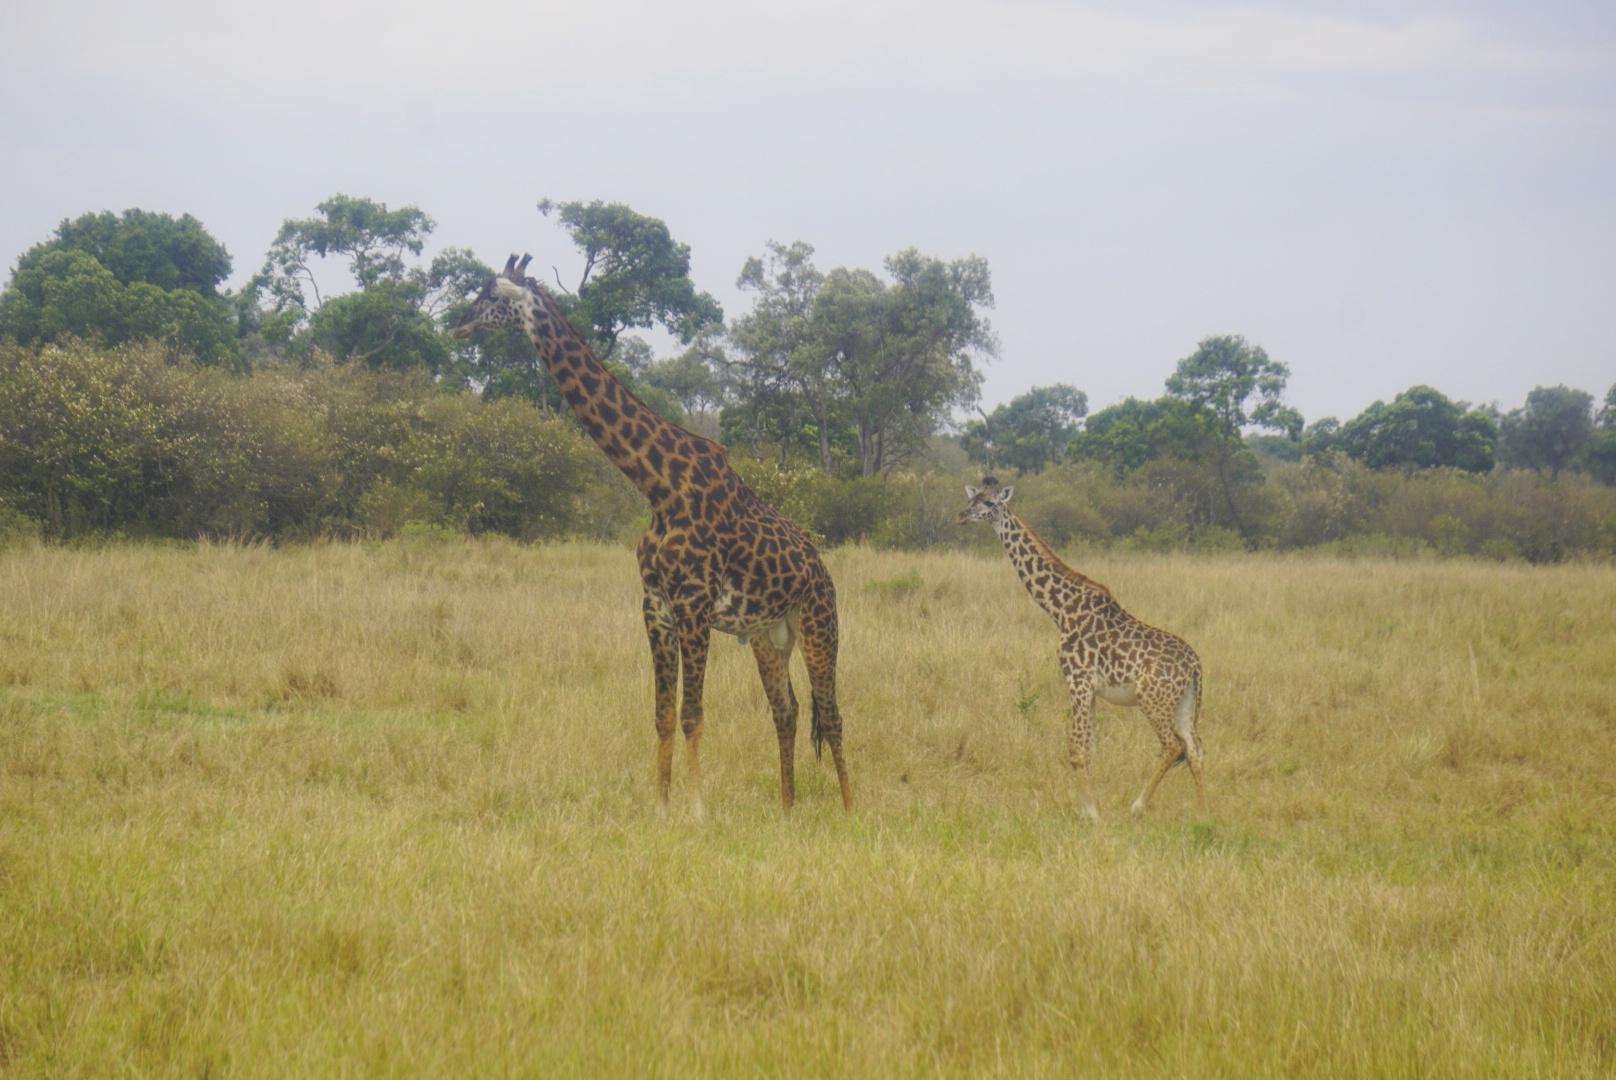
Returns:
(1103, 651)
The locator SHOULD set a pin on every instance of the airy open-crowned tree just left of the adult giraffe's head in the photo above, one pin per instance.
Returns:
(395, 318)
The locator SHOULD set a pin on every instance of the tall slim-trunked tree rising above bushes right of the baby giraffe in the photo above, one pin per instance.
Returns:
(1240, 387)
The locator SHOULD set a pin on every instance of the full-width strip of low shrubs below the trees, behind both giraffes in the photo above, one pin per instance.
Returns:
(127, 442)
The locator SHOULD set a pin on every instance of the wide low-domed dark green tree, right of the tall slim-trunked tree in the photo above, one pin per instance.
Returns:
(1421, 429)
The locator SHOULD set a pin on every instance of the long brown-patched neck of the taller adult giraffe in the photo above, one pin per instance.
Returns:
(660, 458)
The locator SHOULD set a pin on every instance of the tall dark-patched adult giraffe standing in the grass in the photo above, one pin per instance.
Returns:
(715, 559)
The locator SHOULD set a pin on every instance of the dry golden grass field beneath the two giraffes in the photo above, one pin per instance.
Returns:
(389, 811)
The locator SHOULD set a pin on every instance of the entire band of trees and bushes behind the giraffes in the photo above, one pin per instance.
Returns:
(141, 399)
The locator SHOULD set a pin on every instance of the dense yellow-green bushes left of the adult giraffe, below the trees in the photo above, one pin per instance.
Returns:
(128, 442)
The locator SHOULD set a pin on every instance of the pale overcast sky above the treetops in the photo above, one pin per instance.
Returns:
(1379, 193)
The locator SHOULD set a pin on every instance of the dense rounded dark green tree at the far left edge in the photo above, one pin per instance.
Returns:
(133, 277)
